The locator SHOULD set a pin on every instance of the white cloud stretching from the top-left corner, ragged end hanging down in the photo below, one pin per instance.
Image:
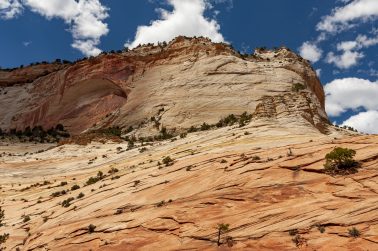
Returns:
(85, 18)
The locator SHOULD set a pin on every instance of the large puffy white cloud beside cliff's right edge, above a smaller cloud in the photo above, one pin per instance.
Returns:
(350, 93)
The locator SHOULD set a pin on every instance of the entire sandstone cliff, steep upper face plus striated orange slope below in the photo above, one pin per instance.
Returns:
(265, 179)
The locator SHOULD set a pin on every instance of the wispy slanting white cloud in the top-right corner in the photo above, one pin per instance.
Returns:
(344, 17)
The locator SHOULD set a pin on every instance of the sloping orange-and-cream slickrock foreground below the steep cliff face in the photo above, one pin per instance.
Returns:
(215, 178)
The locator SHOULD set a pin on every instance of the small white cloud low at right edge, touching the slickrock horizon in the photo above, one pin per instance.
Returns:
(366, 122)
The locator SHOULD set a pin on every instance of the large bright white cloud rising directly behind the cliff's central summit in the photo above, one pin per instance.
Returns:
(187, 19)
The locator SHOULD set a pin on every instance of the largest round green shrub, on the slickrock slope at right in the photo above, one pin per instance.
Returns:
(340, 161)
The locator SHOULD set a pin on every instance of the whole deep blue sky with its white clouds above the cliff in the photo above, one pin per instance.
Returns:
(340, 37)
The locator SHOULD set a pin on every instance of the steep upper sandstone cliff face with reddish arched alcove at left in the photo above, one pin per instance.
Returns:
(194, 80)
